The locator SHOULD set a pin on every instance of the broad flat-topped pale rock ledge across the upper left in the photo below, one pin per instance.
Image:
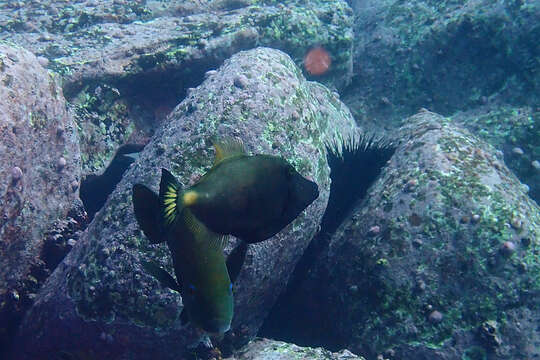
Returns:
(88, 39)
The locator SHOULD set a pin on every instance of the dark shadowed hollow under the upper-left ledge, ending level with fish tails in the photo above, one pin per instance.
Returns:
(150, 97)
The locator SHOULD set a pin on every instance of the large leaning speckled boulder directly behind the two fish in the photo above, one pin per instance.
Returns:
(99, 298)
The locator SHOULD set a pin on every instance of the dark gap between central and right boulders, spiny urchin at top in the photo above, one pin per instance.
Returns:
(300, 316)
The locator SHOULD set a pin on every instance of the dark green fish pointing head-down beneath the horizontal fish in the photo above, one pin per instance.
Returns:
(198, 259)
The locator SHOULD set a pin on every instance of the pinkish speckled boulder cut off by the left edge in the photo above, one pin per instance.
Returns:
(40, 167)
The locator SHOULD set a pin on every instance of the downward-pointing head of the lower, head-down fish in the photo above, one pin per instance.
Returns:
(210, 309)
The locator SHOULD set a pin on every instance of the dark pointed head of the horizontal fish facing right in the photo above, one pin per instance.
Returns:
(301, 192)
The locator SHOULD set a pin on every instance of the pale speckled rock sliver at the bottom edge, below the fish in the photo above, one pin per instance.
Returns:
(265, 349)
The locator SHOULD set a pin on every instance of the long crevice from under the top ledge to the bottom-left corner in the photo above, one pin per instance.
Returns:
(150, 97)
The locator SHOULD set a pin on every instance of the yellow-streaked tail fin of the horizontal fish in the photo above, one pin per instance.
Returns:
(169, 189)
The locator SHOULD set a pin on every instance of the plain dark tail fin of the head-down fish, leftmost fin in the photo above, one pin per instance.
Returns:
(146, 208)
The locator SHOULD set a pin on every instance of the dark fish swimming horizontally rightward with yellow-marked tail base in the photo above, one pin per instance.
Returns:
(250, 197)
